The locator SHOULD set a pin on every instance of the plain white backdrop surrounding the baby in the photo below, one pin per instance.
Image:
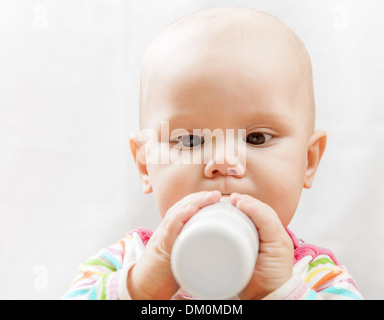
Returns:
(69, 81)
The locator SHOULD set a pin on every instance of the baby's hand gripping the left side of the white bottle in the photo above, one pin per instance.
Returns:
(152, 278)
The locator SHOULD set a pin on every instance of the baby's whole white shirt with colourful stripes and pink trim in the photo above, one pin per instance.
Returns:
(316, 273)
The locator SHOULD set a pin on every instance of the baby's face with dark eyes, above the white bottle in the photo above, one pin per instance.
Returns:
(255, 93)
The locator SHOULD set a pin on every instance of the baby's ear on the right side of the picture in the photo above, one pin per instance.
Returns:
(316, 147)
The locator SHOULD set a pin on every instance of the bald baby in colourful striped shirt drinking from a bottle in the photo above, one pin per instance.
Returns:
(223, 69)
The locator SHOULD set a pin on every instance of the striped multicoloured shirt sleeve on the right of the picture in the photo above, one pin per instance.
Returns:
(320, 279)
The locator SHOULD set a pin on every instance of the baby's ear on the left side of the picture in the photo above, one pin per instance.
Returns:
(138, 153)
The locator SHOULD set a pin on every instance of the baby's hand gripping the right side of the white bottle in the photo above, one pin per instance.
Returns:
(275, 260)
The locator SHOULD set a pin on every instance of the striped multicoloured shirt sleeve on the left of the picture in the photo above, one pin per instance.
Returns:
(104, 276)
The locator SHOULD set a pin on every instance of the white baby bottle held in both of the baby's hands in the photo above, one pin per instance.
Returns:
(215, 254)
